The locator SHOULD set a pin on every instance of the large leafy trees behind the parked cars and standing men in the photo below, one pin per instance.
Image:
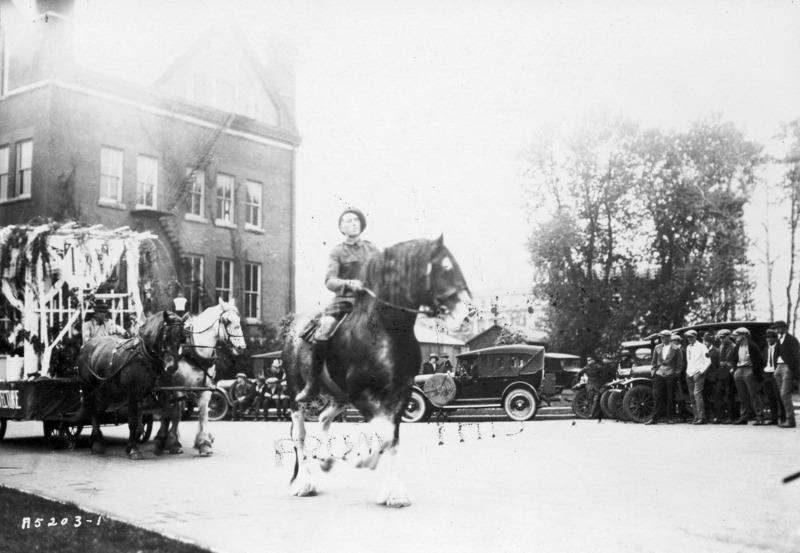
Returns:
(636, 230)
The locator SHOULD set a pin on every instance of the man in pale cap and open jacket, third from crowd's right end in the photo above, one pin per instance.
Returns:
(749, 363)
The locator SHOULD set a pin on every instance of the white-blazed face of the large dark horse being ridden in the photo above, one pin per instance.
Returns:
(447, 287)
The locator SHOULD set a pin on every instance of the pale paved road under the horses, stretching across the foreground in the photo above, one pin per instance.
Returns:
(547, 485)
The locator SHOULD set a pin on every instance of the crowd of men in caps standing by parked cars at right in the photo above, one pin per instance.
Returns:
(726, 375)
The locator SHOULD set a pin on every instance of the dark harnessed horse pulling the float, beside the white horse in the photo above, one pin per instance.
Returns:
(114, 370)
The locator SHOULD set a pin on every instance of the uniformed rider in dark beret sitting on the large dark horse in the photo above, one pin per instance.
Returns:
(344, 266)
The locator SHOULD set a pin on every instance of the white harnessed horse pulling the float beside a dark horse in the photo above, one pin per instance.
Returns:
(196, 369)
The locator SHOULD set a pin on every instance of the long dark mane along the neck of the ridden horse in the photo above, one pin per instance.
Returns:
(397, 273)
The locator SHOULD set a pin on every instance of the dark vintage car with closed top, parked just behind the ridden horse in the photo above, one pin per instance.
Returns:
(510, 377)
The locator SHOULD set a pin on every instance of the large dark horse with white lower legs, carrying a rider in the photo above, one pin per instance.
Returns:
(374, 354)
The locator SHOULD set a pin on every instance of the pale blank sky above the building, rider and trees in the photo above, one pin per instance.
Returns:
(417, 112)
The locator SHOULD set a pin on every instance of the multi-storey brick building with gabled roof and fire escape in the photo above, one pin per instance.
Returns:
(204, 157)
